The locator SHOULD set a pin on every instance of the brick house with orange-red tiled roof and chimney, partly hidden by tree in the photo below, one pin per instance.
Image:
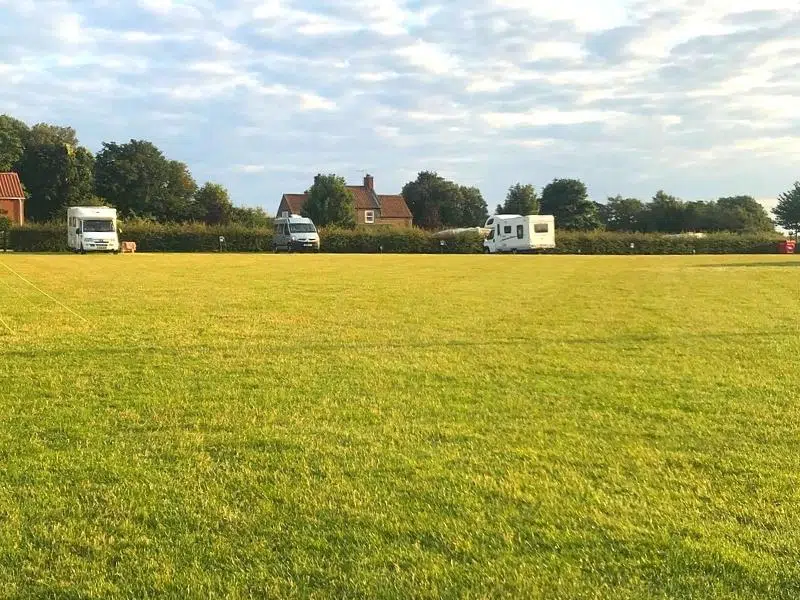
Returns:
(371, 208)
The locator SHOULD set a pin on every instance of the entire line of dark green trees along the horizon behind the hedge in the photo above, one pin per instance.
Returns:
(141, 182)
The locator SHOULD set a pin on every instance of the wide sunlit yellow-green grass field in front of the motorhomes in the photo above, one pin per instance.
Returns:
(399, 426)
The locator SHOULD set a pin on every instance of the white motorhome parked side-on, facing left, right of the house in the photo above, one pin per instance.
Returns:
(517, 233)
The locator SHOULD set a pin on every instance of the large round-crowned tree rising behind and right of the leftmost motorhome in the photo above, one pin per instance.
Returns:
(140, 181)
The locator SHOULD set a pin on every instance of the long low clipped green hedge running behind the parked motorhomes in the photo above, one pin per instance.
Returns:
(154, 237)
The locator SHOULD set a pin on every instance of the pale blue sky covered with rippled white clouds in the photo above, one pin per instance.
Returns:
(695, 97)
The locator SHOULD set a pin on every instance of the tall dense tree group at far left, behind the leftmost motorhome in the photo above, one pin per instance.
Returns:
(134, 177)
